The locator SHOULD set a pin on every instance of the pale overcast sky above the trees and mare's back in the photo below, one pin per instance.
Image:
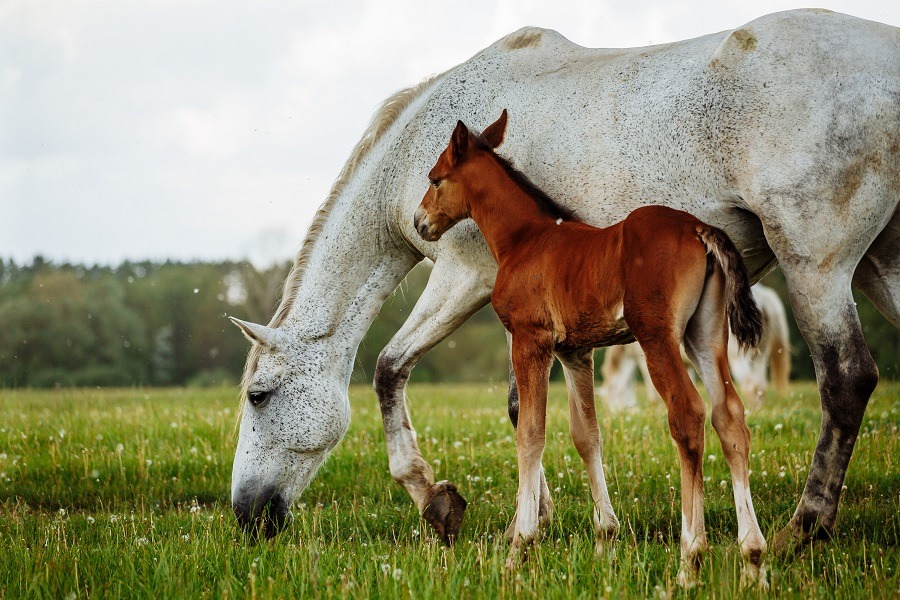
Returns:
(191, 129)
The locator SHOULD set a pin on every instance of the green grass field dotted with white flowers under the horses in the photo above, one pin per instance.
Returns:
(124, 493)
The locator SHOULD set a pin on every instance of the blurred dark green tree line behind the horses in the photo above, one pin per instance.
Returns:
(156, 324)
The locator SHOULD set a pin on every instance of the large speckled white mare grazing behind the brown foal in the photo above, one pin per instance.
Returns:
(784, 132)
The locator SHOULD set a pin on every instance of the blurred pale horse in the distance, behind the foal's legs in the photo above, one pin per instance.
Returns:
(749, 368)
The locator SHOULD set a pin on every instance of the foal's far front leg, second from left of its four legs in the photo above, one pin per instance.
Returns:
(579, 371)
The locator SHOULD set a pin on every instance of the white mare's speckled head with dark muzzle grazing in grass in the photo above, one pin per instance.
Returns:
(294, 413)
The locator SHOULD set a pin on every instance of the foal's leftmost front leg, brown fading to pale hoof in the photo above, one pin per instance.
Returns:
(532, 355)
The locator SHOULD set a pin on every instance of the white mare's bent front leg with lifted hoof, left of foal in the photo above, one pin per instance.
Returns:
(452, 295)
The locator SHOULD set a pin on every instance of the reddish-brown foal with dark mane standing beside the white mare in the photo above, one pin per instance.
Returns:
(563, 288)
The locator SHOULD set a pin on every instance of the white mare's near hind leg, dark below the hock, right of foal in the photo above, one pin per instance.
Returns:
(819, 251)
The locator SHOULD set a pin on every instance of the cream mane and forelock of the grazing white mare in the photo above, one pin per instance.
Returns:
(382, 119)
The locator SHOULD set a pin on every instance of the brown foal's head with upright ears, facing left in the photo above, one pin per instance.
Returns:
(447, 200)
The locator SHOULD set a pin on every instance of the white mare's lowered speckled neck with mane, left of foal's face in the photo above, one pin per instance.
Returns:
(357, 254)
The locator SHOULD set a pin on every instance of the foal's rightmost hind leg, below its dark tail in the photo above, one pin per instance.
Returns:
(706, 343)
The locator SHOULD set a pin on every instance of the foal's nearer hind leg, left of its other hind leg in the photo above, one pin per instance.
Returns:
(687, 416)
